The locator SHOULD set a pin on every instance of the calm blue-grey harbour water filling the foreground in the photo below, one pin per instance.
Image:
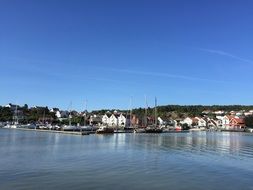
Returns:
(200, 160)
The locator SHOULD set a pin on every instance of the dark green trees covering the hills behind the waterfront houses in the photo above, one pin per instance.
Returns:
(28, 115)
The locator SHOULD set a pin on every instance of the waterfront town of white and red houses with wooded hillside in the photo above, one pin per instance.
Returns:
(176, 118)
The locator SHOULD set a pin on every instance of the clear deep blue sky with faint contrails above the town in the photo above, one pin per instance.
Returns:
(53, 52)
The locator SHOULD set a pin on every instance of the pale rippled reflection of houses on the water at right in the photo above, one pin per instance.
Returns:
(233, 145)
